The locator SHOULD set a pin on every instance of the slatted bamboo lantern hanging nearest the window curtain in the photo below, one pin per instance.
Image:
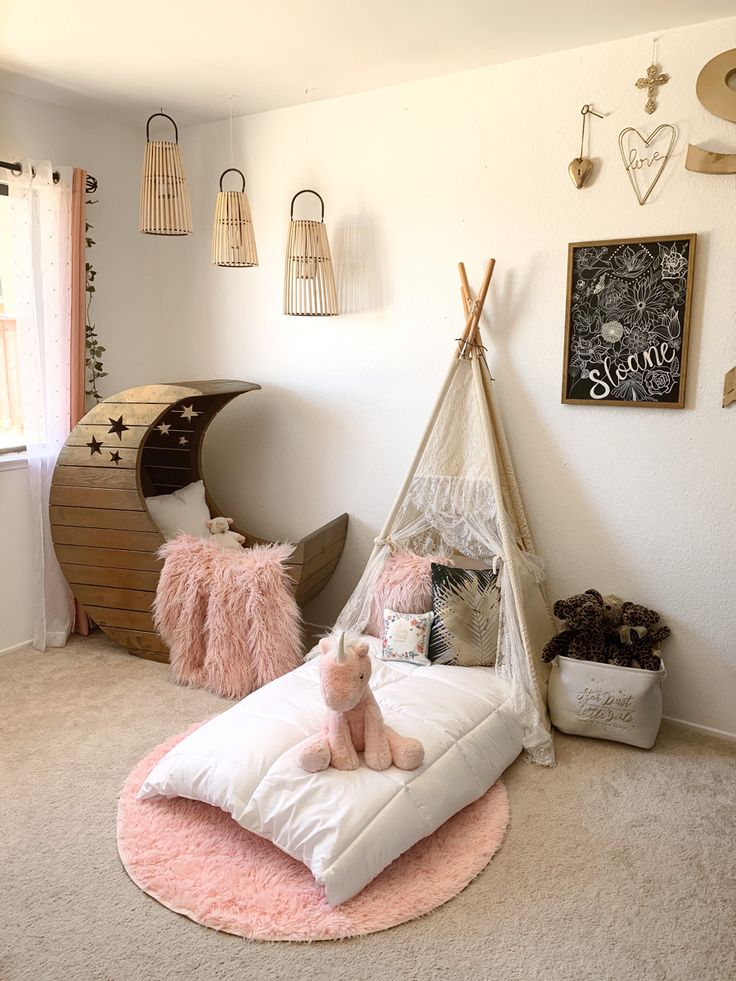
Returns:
(164, 208)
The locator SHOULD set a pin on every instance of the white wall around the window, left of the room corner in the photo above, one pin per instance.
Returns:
(125, 307)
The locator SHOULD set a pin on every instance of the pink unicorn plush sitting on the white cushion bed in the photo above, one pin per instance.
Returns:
(354, 723)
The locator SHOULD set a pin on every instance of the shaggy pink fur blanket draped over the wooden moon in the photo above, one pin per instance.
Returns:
(228, 616)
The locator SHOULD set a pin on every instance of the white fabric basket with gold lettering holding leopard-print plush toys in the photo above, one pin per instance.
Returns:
(605, 701)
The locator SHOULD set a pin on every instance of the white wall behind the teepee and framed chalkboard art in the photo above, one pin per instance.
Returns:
(636, 501)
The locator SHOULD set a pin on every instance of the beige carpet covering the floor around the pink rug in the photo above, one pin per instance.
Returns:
(619, 863)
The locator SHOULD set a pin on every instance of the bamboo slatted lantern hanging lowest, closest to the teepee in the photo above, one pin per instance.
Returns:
(309, 279)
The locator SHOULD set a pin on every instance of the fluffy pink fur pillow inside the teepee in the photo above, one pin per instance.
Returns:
(404, 585)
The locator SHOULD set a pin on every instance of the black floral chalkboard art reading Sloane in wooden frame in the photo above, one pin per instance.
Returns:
(628, 320)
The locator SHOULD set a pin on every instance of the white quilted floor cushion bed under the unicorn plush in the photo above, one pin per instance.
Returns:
(348, 826)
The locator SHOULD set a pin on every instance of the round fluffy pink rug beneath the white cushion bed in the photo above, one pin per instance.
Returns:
(194, 859)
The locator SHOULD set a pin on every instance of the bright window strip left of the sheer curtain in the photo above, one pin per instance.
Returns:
(11, 417)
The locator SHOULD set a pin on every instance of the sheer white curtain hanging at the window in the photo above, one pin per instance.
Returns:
(40, 215)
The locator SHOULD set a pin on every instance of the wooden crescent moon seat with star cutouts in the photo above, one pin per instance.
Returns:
(140, 443)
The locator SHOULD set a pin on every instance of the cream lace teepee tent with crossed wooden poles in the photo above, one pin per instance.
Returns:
(460, 496)
